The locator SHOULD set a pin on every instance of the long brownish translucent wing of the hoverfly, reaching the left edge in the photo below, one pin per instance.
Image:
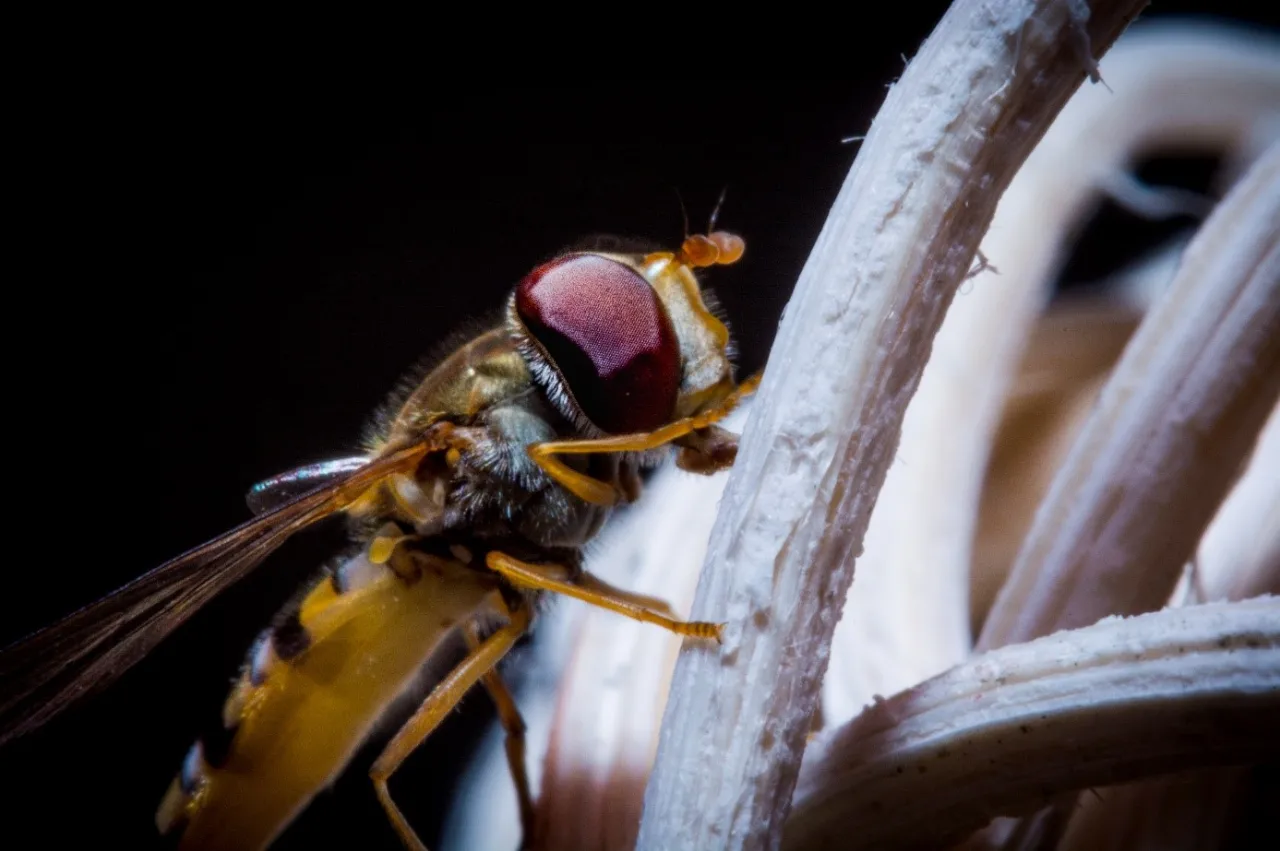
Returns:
(89, 649)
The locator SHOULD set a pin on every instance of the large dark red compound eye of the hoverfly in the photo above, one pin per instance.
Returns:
(609, 336)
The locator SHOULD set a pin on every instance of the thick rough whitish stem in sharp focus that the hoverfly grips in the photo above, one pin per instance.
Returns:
(849, 355)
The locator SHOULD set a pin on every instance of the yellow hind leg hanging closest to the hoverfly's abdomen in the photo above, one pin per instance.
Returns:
(433, 711)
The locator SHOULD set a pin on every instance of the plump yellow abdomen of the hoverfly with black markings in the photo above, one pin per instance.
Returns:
(313, 689)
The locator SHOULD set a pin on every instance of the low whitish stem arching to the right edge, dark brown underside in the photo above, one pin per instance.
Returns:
(1011, 730)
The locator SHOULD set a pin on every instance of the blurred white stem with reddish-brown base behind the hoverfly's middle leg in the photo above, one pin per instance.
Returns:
(605, 731)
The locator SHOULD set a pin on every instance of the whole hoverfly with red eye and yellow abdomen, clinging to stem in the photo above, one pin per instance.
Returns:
(474, 501)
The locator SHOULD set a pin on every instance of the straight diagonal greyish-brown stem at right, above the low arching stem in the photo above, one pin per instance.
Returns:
(1174, 424)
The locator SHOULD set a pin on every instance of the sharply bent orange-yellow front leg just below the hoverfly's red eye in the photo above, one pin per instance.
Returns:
(601, 493)
